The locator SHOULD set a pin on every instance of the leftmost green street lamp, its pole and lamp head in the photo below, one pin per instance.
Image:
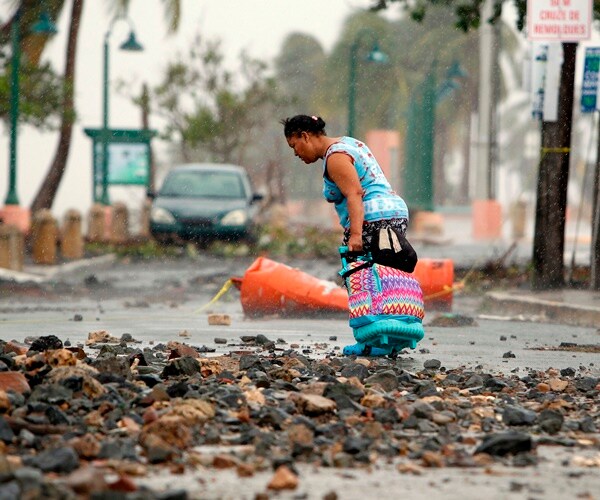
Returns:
(44, 26)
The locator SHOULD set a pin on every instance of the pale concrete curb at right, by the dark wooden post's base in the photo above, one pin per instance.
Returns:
(554, 309)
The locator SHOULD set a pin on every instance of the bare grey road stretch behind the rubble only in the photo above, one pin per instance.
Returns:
(158, 301)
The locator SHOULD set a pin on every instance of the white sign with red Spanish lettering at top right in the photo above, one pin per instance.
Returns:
(559, 20)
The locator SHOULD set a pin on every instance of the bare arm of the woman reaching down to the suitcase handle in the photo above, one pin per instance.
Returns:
(340, 170)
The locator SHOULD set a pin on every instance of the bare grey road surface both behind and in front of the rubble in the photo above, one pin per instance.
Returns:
(159, 301)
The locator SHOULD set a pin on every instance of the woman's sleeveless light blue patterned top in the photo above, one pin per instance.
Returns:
(380, 201)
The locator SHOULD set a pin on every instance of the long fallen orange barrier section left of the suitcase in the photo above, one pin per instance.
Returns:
(269, 287)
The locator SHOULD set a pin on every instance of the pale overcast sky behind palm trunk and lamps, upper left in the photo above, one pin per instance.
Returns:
(258, 26)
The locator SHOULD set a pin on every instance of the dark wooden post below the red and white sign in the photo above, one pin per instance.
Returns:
(553, 177)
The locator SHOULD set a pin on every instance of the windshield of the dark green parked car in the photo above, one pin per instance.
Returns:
(206, 184)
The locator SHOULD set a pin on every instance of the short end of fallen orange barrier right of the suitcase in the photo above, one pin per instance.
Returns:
(436, 277)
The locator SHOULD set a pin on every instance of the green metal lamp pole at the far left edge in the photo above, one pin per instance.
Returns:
(11, 197)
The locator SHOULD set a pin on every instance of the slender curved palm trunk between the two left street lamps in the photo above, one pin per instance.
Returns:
(47, 193)
